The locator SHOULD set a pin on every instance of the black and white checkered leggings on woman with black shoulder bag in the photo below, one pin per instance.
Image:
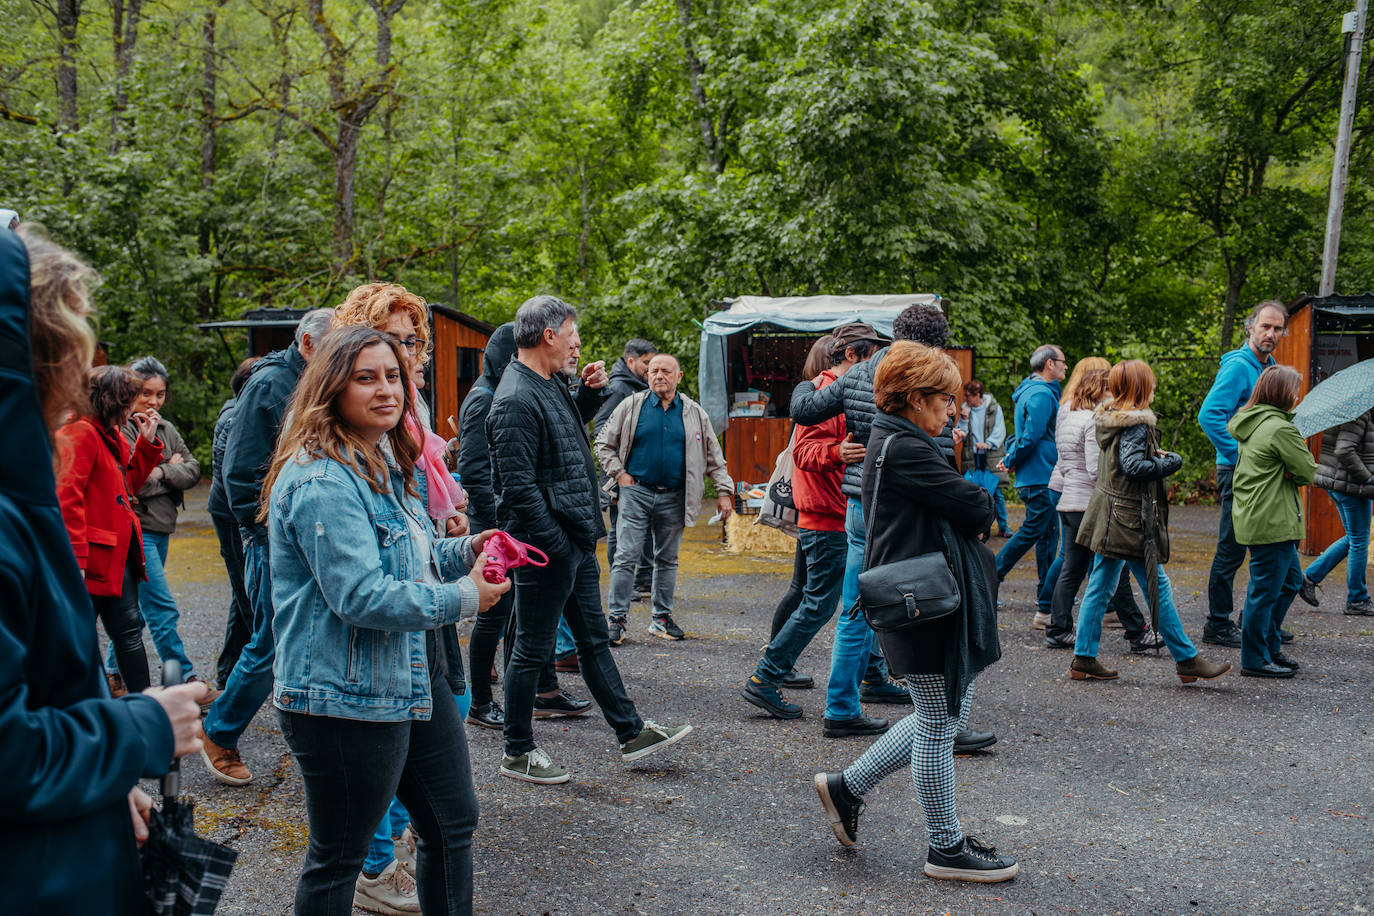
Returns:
(925, 742)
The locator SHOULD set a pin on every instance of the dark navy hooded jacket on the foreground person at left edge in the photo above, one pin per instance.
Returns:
(69, 753)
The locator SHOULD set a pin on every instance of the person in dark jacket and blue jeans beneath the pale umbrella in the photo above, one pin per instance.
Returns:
(1346, 472)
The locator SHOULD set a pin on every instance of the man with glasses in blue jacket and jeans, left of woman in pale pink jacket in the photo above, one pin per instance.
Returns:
(1033, 455)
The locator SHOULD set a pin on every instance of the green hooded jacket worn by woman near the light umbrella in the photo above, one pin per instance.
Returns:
(1274, 463)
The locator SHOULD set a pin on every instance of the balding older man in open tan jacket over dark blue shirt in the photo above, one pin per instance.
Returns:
(657, 447)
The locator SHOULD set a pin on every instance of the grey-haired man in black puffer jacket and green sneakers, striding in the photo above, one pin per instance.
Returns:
(546, 495)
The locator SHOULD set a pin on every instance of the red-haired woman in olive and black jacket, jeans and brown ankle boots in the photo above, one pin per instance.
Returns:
(1127, 525)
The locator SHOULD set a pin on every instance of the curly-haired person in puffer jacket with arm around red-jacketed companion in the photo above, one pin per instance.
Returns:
(853, 396)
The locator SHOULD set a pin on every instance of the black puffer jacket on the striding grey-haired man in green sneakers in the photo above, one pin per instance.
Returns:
(542, 462)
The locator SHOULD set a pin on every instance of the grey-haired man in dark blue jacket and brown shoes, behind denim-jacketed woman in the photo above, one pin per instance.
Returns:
(259, 417)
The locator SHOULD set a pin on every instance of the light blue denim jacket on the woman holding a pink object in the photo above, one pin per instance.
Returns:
(351, 610)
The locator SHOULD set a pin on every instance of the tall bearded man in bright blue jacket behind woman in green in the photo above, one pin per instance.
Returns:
(1265, 328)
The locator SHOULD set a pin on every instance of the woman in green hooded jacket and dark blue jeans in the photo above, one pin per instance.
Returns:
(1268, 516)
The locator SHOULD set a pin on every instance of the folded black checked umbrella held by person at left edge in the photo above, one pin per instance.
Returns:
(183, 874)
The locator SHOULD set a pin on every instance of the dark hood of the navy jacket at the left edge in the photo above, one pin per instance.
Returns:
(27, 455)
